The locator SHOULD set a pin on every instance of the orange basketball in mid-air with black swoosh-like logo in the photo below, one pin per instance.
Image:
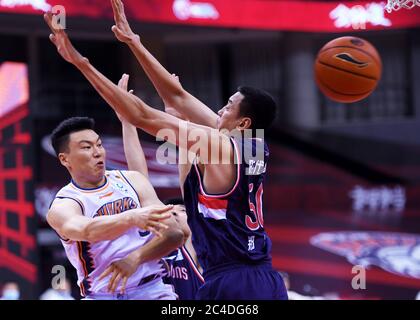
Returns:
(347, 69)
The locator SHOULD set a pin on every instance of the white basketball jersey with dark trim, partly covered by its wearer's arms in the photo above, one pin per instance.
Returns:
(116, 195)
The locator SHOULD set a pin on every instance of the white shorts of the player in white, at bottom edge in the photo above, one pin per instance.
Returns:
(153, 290)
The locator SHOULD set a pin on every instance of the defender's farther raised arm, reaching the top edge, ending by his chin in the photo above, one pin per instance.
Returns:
(170, 90)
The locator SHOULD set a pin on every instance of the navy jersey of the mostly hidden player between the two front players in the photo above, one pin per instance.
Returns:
(182, 274)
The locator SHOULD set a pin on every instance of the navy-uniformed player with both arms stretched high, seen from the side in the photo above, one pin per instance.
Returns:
(223, 200)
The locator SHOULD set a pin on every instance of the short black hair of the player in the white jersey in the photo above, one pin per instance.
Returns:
(60, 135)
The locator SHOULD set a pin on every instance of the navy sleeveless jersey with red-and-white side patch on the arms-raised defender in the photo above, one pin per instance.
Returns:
(228, 229)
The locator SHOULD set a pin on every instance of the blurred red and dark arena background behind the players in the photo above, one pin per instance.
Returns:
(343, 184)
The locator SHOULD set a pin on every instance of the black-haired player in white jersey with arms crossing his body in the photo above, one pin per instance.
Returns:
(103, 216)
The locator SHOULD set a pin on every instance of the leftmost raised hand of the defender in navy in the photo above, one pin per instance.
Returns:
(60, 39)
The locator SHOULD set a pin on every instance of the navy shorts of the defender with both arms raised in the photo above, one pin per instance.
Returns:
(243, 283)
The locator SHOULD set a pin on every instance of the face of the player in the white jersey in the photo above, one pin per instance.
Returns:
(86, 156)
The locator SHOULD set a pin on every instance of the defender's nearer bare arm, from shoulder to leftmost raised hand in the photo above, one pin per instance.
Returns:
(211, 145)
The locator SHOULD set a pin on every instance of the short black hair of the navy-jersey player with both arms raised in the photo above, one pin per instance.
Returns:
(259, 105)
